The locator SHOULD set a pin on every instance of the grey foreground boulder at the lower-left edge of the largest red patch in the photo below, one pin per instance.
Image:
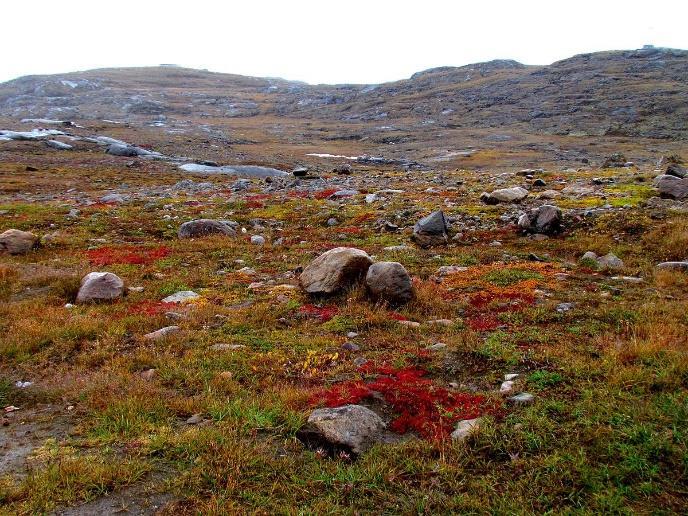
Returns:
(354, 427)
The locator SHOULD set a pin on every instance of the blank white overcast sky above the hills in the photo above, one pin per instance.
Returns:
(358, 41)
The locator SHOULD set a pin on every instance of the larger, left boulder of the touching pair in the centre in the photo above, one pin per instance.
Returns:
(335, 270)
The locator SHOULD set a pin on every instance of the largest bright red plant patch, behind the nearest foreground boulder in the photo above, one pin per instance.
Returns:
(420, 405)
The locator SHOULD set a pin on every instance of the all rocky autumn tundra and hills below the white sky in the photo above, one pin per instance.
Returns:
(464, 292)
